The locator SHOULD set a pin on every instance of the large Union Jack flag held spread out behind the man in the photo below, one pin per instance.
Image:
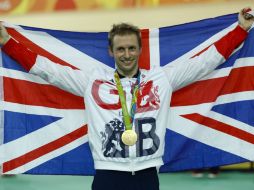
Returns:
(44, 128)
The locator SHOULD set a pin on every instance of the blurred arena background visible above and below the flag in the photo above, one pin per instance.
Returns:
(99, 15)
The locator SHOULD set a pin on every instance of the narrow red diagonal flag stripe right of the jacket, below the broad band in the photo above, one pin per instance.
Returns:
(219, 126)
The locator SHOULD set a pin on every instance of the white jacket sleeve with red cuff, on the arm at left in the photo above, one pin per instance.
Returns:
(64, 77)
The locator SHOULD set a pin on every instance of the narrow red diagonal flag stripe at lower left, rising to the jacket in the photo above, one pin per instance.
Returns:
(34, 154)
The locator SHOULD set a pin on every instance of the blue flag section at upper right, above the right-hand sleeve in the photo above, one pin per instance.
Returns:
(177, 40)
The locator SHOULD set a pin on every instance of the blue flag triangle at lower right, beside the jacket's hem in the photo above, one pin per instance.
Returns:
(183, 153)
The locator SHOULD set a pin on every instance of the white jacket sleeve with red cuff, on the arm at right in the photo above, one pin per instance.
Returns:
(182, 74)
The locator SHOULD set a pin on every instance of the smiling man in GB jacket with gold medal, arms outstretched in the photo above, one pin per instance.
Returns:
(127, 108)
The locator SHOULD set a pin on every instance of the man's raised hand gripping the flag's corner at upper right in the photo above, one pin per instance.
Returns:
(244, 19)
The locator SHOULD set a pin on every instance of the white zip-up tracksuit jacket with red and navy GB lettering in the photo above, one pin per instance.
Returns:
(103, 106)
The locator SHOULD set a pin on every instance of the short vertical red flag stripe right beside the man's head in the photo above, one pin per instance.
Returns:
(144, 59)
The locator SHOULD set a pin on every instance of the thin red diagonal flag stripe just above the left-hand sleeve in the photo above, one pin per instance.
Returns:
(35, 48)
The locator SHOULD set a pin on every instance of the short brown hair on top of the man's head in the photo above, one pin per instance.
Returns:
(123, 29)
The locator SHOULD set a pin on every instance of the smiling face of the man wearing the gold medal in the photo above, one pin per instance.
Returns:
(126, 53)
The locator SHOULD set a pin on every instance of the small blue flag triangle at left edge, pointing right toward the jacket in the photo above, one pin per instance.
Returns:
(17, 124)
